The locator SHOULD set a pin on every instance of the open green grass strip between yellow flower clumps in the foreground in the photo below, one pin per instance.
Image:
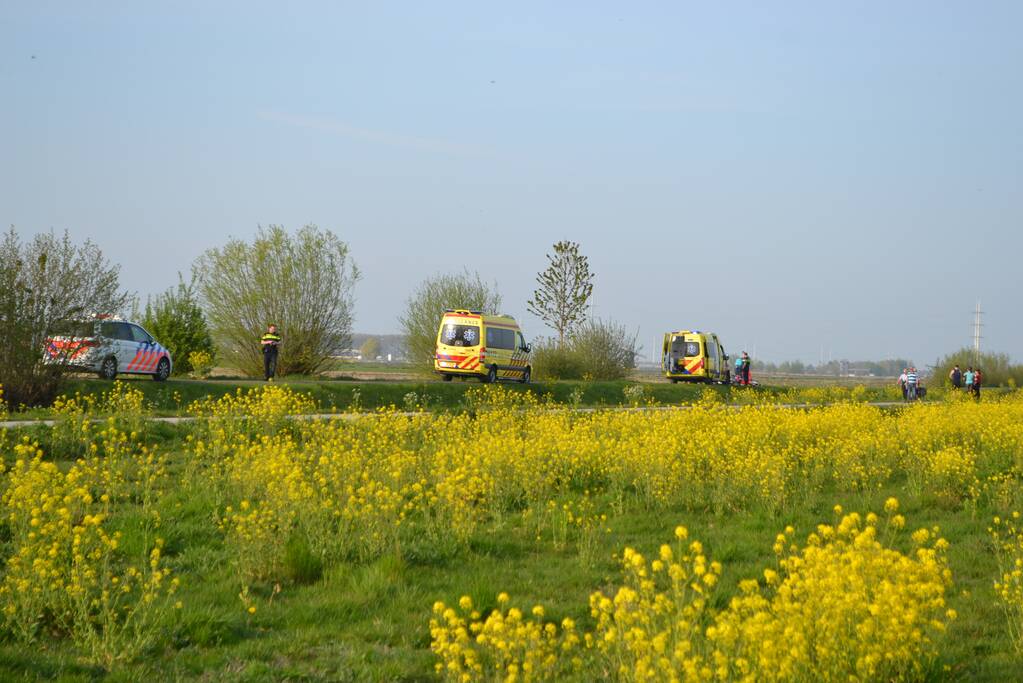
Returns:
(370, 621)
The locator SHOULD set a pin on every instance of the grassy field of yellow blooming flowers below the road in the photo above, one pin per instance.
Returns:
(716, 542)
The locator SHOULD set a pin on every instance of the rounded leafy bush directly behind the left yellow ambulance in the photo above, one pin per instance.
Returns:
(425, 307)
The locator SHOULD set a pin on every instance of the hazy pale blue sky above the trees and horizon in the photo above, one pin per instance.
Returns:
(797, 177)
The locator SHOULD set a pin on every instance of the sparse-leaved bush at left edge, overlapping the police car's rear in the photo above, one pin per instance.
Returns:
(45, 285)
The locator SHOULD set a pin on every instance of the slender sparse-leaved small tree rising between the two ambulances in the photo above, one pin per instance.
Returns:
(563, 293)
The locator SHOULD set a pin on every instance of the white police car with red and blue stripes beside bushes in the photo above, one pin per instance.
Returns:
(109, 347)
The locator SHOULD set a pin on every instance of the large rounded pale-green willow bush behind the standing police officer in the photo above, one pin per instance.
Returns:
(304, 283)
